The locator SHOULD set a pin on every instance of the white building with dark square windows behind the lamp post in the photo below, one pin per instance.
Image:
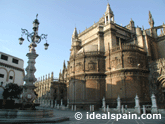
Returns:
(11, 71)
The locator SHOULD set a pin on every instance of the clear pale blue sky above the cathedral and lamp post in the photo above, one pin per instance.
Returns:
(58, 18)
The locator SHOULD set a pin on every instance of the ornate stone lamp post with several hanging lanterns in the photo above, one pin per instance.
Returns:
(28, 95)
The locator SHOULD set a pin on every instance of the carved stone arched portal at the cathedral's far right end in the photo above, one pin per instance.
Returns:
(157, 80)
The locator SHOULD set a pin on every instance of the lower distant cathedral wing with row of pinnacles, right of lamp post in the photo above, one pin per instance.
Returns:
(50, 90)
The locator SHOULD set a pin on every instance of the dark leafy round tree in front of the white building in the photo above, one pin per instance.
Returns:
(12, 91)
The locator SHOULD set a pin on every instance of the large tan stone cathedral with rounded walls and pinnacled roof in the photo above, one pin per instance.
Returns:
(108, 60)
